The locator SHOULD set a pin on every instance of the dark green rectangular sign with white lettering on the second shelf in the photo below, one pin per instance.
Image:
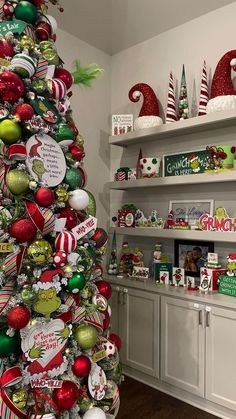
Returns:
(186, 163)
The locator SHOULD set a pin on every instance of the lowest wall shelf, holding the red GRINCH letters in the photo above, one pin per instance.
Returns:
(176, 234)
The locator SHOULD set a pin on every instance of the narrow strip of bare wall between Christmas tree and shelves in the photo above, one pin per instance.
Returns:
(91, 108)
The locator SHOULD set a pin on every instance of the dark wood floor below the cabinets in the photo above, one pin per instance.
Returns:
(139, 401)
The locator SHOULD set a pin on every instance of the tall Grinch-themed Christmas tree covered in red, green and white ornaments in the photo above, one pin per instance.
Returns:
(56, 356)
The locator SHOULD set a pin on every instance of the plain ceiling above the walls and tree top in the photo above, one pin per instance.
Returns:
(114, 25)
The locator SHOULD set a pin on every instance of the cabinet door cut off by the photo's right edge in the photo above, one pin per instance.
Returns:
(220, 360)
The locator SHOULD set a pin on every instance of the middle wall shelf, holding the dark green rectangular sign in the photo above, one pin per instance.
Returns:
(175, 180)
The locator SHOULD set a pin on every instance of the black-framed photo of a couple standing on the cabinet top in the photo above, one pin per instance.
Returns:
(192, 255)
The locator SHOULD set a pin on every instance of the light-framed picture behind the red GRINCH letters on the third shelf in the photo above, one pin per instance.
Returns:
(191, 211)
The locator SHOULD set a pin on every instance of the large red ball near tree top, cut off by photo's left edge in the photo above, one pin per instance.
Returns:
(11, 87)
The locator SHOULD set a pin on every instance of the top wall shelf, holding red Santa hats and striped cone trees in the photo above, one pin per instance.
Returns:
(188, 126)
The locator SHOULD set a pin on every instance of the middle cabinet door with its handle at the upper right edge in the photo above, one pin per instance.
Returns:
(182, 345)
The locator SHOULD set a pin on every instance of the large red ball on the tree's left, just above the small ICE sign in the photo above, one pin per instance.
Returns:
(23, 230)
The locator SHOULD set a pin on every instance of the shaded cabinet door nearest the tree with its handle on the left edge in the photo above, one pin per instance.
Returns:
(140, 331)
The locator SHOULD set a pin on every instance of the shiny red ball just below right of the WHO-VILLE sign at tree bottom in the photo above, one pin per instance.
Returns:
(66, 396)
